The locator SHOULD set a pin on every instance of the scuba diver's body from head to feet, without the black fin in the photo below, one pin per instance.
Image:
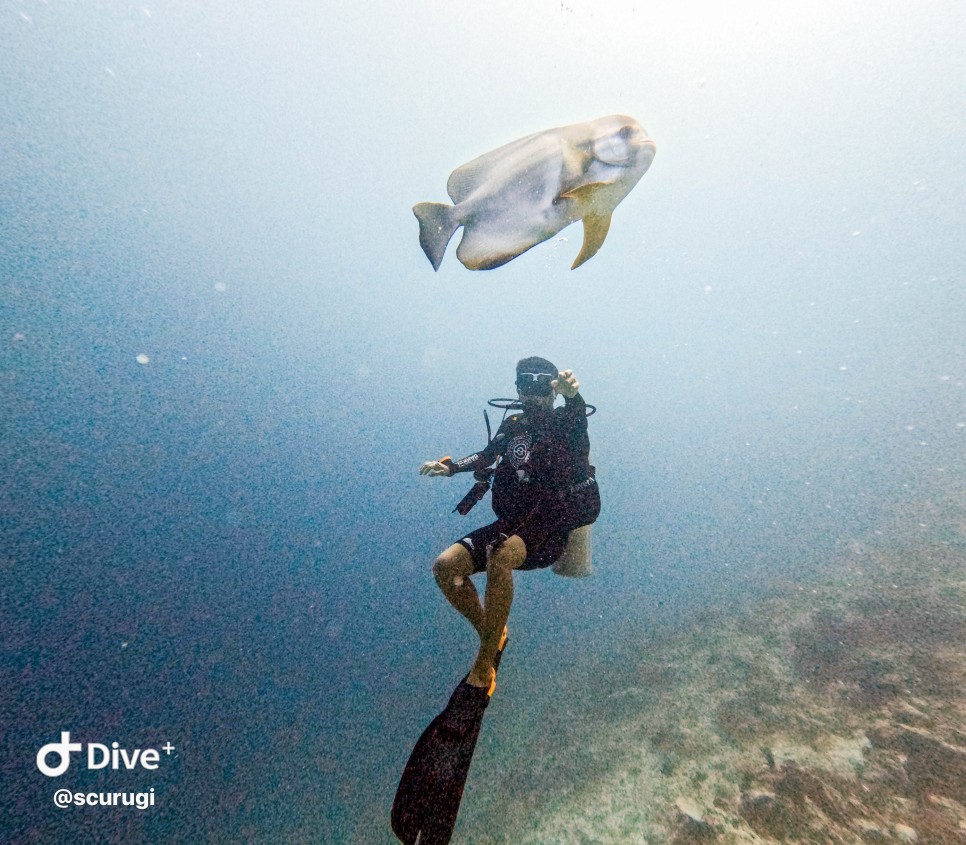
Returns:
(543, 488)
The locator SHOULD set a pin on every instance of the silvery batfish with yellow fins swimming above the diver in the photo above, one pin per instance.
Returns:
(523, 193)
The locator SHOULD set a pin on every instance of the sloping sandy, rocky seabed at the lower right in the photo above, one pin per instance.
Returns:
(832, 711)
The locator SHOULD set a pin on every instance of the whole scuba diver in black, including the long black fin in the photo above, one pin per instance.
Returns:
(543, 488)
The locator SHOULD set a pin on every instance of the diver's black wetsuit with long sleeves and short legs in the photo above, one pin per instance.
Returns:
(543, 486)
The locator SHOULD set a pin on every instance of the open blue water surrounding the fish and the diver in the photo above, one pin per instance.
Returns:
(228, 546)
